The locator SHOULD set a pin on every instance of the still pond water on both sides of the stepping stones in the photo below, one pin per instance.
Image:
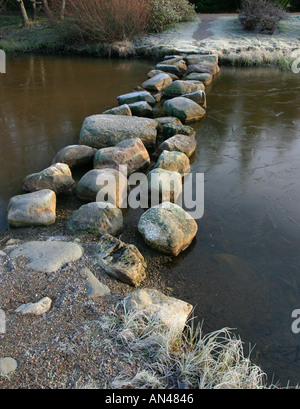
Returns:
(243, 269)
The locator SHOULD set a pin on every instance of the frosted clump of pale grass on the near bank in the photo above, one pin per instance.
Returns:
(187, 360)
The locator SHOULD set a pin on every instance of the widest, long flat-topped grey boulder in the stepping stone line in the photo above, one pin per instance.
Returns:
(101, 131)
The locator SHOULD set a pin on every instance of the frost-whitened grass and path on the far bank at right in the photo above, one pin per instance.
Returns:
(226, 36)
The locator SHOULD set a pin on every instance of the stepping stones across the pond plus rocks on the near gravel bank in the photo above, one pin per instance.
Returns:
(152, 117)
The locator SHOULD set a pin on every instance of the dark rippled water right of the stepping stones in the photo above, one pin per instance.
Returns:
(244, 269)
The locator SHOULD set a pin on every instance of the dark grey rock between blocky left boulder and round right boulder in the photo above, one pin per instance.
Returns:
(97, 217)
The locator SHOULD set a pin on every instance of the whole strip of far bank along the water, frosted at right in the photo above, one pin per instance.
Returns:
(224, 36)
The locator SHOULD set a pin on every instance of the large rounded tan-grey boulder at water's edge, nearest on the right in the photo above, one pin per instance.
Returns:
(167, 228)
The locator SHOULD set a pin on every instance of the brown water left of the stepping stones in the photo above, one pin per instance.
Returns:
(43, 101)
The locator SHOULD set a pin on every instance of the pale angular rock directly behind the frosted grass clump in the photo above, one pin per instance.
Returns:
(156, 306)
